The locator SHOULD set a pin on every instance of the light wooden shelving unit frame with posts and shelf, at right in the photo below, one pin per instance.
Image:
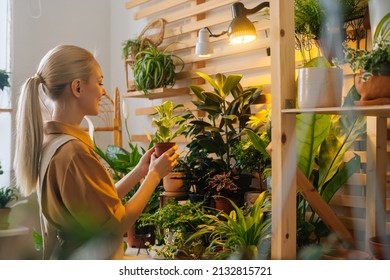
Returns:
(284, 177)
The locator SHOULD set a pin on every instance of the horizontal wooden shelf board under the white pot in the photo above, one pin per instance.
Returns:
(377, 110)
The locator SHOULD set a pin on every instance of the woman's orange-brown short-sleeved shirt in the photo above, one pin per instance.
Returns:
(79, 197)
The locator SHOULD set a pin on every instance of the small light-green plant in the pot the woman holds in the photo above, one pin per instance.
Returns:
(169, 126)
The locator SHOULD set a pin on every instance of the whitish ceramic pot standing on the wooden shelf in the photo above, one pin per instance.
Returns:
(319, 87)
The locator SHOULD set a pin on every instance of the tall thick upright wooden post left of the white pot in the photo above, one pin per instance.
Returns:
(283, 244)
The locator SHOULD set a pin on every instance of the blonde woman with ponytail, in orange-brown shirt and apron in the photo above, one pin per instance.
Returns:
(81, 211)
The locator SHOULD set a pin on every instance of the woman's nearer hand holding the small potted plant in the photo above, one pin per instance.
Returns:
(164, 164)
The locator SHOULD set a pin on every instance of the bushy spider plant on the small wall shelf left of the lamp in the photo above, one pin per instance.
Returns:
(155, 68)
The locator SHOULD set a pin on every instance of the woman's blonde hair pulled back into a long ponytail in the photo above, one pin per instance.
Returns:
(57, 69)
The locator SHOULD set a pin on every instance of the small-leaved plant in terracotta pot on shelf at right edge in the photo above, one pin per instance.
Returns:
(372, 68)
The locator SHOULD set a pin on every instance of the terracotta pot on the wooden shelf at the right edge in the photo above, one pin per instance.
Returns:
(375, 91)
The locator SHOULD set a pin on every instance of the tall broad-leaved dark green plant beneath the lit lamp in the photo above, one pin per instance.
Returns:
(227, 109)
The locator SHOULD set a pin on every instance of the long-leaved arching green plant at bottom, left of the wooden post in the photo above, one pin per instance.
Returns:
(242, 230)
